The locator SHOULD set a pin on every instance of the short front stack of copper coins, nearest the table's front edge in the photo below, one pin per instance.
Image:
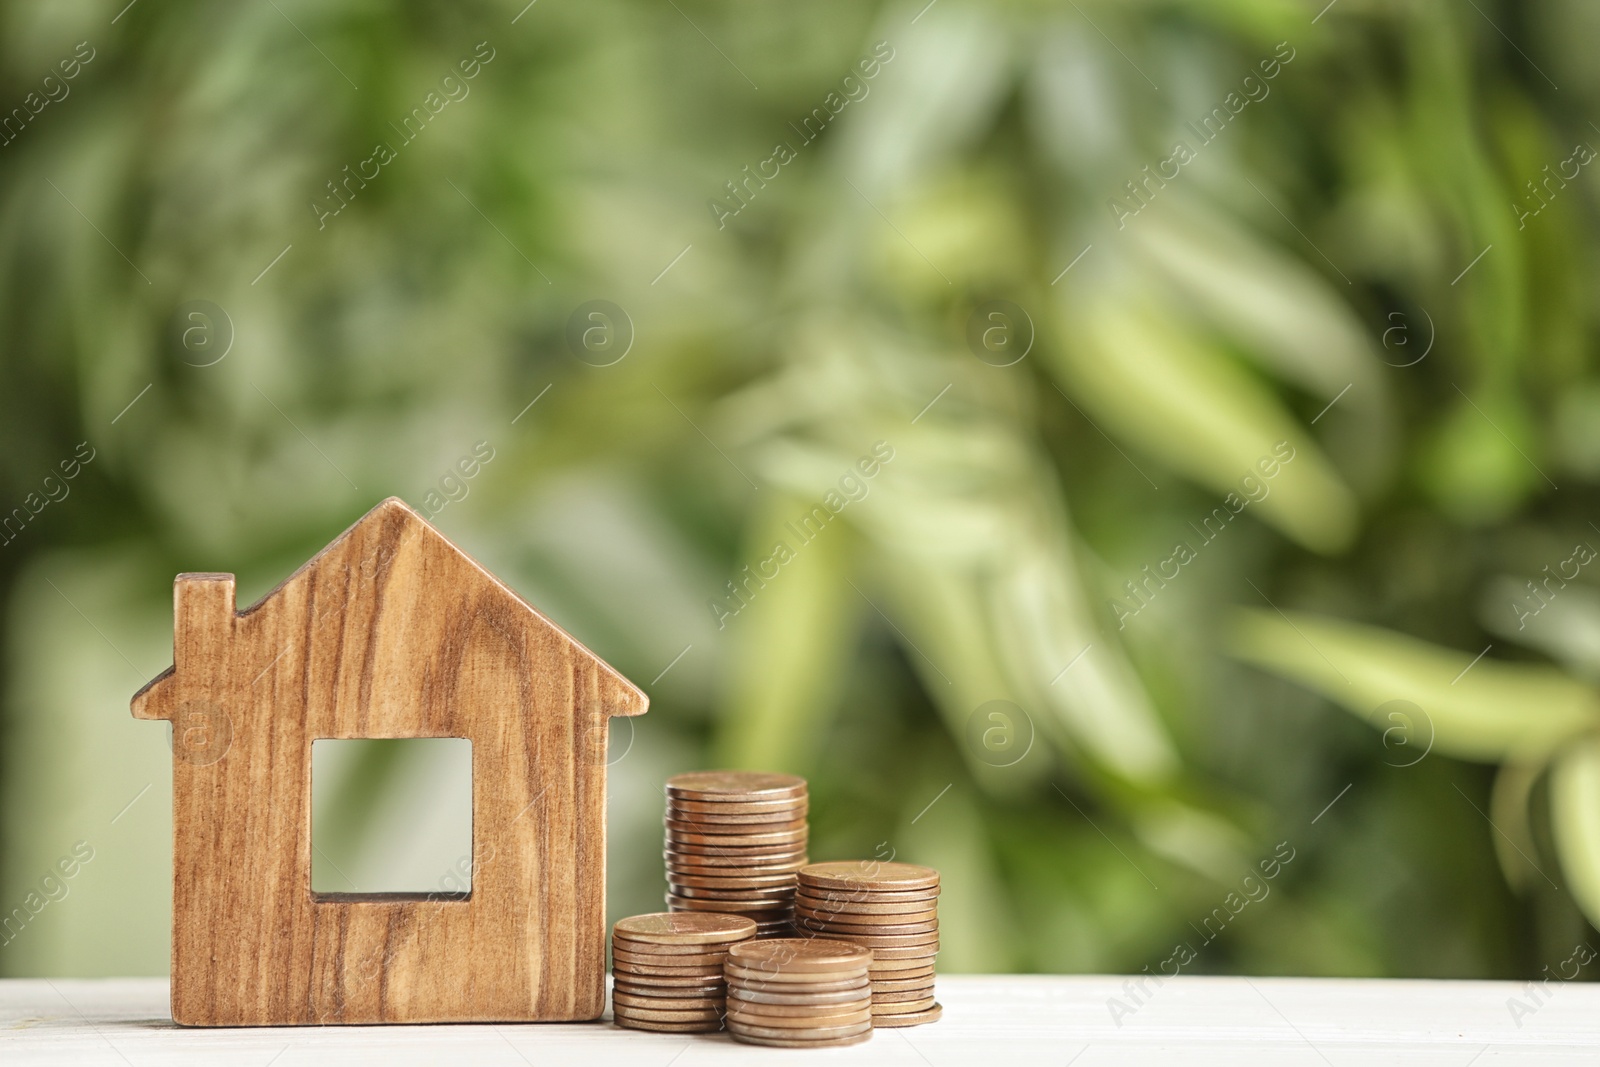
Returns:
(799, 993)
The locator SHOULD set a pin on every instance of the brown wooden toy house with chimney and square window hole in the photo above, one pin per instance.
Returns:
(388, 633)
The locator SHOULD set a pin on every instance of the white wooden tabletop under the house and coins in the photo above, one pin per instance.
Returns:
(994, 1021)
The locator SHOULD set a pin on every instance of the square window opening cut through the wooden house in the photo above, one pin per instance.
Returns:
(391, 817)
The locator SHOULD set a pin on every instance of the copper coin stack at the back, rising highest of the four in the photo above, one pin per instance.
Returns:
(735, 842)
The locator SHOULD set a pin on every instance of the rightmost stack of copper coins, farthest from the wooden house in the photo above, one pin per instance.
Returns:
(892, 909)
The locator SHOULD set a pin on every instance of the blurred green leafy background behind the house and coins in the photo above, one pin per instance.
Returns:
(1319, 386)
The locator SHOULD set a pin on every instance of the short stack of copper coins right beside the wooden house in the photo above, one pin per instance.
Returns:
(668, 970)
